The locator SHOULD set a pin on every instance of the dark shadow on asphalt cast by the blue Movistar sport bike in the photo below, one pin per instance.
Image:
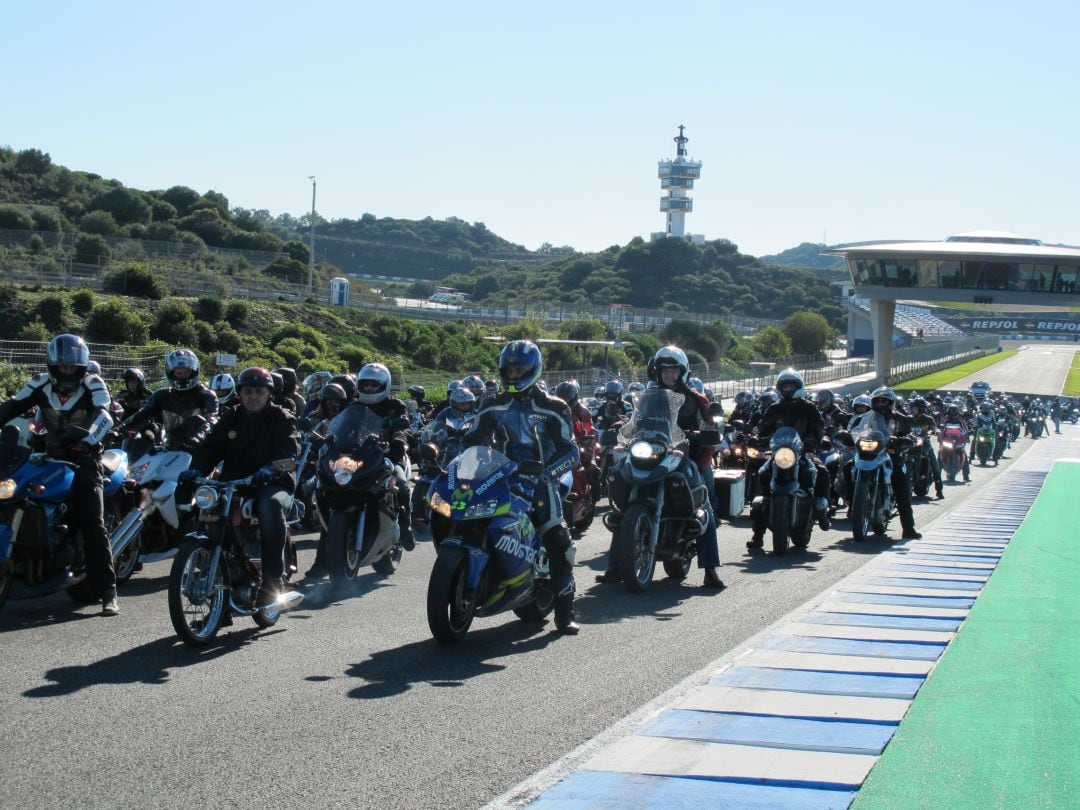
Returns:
(395, 671)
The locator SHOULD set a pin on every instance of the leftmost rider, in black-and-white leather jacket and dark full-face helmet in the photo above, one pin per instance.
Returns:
(67, 397)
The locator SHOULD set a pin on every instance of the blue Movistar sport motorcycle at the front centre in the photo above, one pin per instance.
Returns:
(490, 556)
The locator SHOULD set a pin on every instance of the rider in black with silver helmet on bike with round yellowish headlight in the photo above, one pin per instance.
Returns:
(792, 411)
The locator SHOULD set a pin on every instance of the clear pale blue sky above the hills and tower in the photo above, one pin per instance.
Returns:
(841, 120)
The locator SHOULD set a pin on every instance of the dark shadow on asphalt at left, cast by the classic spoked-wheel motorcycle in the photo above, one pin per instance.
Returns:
(148, 664)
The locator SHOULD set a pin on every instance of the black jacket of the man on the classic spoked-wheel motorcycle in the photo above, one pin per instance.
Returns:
(247, 443)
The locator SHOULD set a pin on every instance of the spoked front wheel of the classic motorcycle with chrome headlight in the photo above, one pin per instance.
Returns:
(197, 604)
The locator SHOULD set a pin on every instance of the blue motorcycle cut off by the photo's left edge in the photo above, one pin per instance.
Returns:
(42, 544)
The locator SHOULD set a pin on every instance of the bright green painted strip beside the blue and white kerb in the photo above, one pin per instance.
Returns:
(996, 724)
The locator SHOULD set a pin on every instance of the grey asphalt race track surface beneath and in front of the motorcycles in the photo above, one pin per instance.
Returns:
(348, 703)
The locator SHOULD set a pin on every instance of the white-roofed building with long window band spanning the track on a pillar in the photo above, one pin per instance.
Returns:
(989, 268)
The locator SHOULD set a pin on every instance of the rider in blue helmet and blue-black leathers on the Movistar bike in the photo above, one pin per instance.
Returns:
(516, 422)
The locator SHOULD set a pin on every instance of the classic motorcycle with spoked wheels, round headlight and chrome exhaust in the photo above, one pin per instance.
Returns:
(218, 571)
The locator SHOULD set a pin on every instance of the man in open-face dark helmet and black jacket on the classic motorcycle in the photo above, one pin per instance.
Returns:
(248, 440)
